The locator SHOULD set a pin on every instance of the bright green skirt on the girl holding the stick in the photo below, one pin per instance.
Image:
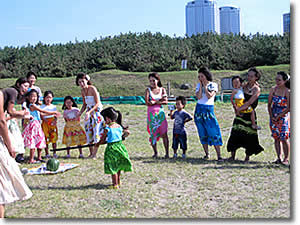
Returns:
(116, 158)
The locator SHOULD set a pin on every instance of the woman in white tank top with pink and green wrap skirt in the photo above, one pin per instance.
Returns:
(157, 126)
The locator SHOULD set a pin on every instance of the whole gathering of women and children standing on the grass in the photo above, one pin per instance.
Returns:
(104, 126)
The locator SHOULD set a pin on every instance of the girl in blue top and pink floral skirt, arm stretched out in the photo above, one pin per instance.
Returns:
(33, 134)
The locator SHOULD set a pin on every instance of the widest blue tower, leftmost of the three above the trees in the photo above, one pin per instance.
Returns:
(202, 16)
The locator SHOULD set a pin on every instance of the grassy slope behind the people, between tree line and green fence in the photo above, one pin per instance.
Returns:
(122, 83)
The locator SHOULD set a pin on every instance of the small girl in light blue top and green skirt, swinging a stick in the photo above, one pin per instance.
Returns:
(116, 156)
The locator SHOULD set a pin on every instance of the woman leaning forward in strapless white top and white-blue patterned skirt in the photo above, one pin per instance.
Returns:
(93, 121)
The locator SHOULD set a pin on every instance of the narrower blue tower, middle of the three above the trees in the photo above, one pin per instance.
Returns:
(229, 19)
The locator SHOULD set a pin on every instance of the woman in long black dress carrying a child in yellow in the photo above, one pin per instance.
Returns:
(242, 133)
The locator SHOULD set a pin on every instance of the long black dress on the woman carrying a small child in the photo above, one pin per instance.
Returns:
(243, 135)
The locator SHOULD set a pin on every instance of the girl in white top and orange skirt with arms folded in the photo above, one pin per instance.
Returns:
(49, 123)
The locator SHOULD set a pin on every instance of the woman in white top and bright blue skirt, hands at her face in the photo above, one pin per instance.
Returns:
(205, 118)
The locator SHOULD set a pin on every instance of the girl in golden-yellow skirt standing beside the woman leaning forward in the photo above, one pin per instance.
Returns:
(74, 133)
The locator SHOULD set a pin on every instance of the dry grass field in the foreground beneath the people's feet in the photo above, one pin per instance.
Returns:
(165, 188)
